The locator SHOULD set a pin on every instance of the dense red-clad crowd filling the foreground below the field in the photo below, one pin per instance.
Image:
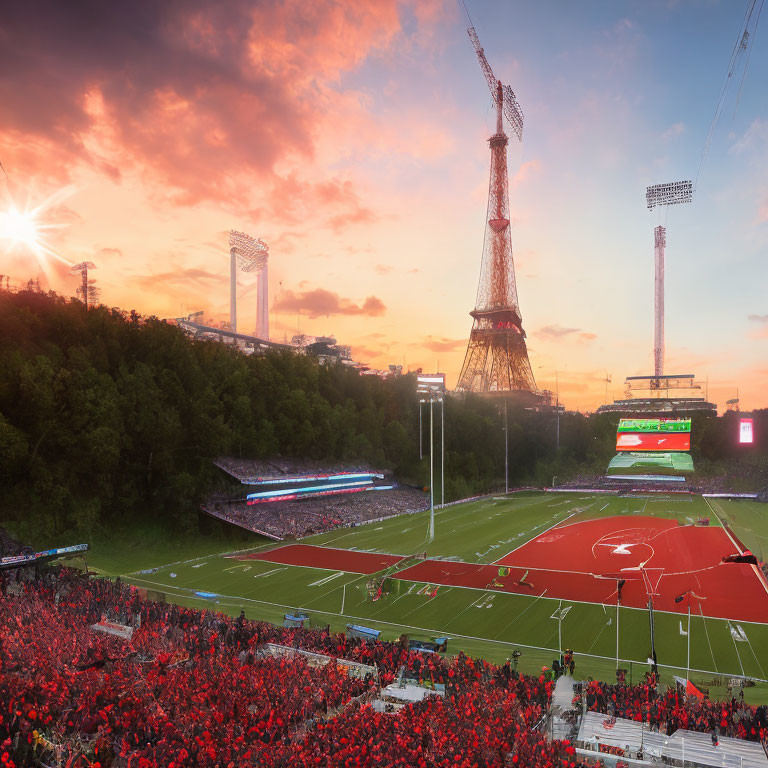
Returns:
(191, 689)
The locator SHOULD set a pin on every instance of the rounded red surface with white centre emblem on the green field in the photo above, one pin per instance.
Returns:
(582, 562)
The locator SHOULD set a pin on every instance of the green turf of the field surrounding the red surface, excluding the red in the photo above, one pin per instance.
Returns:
(487, 623)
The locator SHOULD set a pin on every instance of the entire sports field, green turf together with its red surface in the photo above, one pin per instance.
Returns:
(532, 571)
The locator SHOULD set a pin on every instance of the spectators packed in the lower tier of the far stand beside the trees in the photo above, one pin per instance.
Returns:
(302, 517)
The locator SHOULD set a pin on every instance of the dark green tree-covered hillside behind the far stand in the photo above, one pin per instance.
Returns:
(108, 417)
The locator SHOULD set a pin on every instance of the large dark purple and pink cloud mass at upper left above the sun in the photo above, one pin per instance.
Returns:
(195, 94)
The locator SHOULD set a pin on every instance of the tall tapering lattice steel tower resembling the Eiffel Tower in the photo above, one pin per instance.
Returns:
(497, 362)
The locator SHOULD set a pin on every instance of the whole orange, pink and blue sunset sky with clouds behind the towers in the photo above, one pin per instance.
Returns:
(352, 137)
